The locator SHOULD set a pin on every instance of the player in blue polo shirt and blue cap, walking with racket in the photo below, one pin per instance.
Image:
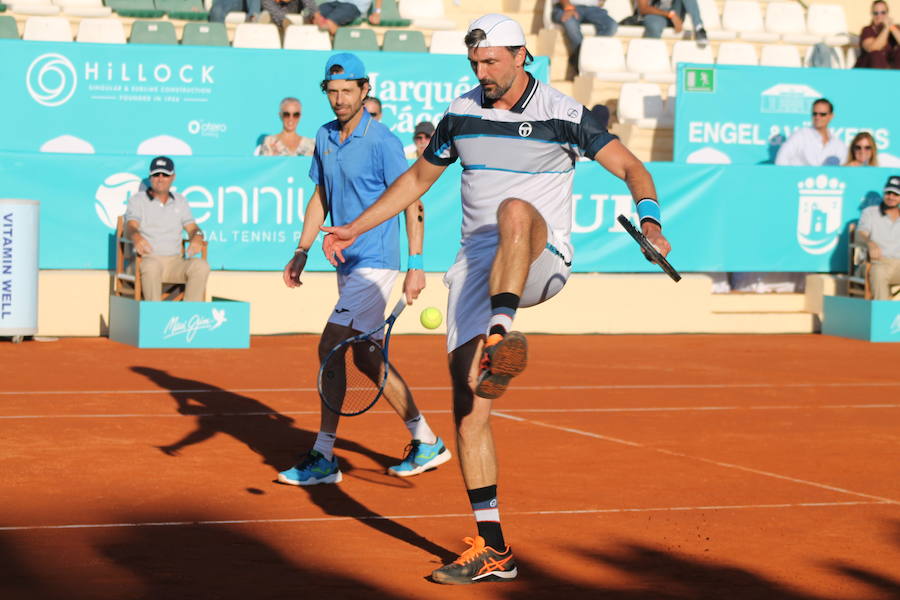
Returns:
(355, 161)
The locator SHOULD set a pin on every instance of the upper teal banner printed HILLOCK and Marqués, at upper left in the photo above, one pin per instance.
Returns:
(201, 101)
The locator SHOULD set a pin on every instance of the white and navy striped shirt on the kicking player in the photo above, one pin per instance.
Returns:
(526, 152)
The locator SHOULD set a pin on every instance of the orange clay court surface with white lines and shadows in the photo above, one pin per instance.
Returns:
(632, 467)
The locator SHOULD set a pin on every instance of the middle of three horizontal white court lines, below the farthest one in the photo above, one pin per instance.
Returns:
(170, 415)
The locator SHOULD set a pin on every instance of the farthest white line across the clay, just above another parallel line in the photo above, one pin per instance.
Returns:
(662, 386)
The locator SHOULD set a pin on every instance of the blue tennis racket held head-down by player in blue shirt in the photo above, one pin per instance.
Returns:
(352, 376)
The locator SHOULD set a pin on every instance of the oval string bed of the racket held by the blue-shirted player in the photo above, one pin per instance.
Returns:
(352, 377)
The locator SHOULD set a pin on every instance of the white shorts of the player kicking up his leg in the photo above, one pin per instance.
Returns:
(469, 302)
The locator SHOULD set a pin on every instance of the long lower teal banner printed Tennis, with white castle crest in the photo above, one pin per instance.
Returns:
(718, 217)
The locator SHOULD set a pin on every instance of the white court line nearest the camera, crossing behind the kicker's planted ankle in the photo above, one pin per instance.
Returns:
(586, 511)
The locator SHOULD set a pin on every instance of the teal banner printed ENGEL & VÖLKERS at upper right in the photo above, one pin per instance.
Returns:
(729, 114)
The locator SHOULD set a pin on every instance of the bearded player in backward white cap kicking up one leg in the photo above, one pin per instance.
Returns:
(518, 140)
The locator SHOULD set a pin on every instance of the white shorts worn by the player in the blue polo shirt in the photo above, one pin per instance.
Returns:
(363, 295)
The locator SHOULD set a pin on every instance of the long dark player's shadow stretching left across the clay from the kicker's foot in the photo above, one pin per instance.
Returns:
(276, 439)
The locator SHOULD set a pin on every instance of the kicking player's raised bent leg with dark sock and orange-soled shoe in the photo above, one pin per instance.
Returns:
(522, 235)
